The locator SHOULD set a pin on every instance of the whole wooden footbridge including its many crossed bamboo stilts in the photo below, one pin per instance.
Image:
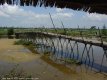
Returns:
(92, 53)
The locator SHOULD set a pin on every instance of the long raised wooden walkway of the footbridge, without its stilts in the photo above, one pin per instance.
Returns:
(80, 40)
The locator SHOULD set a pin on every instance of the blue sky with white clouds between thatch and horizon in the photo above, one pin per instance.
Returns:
(19, 16)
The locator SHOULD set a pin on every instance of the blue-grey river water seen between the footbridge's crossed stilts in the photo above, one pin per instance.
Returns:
(93, 56)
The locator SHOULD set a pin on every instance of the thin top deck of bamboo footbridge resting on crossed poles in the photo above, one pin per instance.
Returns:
(85, 41)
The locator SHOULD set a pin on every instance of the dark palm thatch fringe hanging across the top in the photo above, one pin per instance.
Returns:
(98, 6)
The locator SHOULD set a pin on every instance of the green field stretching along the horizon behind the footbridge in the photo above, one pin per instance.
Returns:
(77, 32)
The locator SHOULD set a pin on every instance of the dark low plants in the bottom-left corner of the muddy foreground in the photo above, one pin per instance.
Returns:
(15, 74)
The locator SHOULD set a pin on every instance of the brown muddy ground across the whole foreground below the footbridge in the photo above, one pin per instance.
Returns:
(31, 63)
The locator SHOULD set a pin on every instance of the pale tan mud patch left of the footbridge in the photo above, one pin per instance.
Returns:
(14, 53)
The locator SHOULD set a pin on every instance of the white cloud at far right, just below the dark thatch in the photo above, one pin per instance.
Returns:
(95, 17)
